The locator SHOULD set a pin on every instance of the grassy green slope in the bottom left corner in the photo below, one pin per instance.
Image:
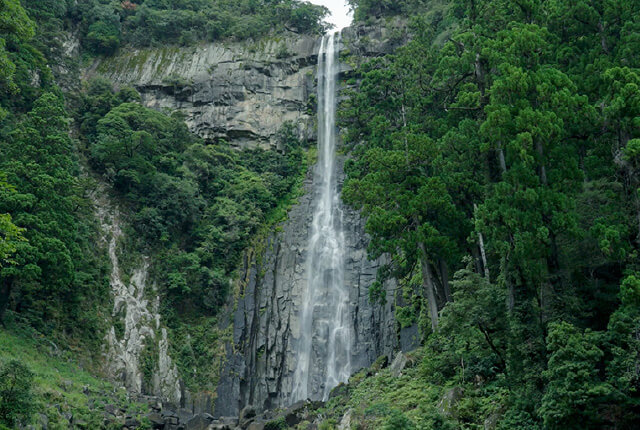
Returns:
(40, 384)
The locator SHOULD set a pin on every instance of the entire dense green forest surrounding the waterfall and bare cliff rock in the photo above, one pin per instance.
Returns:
(495, 157)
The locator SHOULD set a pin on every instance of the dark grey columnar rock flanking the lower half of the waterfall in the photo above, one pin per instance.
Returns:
(260, 366)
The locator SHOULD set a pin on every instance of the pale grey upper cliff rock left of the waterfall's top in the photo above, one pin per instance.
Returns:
(240, 92)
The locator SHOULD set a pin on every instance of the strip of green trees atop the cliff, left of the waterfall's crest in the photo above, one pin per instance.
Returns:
(105, 25)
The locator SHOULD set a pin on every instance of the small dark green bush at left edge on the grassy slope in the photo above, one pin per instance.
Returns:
(16, 402)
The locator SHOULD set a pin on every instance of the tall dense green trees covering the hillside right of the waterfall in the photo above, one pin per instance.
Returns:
(500, 171)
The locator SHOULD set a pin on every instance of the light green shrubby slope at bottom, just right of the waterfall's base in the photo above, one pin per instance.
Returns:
(376, 399)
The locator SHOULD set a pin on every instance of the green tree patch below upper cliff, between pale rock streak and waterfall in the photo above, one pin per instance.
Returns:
(196, 207)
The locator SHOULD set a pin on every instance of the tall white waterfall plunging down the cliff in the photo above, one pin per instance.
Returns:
(324, 347)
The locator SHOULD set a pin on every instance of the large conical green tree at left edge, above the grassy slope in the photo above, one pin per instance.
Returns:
(53, 268)
